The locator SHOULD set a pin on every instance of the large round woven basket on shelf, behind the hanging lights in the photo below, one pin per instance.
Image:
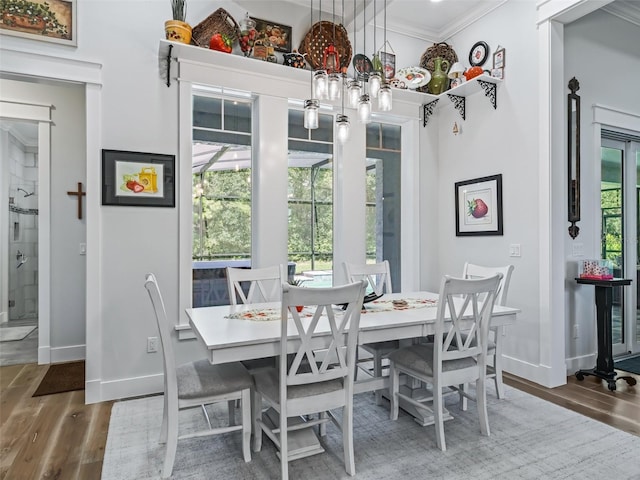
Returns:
(320, 37)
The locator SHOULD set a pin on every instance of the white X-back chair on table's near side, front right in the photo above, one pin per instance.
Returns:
(456, 357)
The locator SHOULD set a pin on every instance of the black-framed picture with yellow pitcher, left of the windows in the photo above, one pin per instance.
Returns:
(138, 179)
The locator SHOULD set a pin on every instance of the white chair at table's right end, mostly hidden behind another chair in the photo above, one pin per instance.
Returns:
(496, 334)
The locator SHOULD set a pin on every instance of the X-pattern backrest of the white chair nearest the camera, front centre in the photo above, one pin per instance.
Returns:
(310, 364)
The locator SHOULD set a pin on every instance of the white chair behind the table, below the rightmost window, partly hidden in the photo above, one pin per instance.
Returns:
(378, 277)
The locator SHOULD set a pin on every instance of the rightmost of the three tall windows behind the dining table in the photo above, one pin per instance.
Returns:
(383, 187)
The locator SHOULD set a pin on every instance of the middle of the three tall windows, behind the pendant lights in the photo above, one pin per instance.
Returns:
(311, 199)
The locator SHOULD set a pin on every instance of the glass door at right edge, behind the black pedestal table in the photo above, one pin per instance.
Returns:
(620, 213)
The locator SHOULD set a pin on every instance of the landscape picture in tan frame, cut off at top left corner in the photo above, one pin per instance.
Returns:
(48, 20)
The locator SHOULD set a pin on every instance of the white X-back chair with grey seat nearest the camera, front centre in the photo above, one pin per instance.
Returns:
(312, 381)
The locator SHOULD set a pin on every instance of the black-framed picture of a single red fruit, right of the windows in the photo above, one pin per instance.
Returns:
(479, 206)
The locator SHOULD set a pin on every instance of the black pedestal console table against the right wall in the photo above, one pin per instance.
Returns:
(604, 368)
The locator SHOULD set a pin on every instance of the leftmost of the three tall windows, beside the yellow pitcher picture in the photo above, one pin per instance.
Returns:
(221, 178)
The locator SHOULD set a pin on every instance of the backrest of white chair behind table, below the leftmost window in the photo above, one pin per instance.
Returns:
(265, 284)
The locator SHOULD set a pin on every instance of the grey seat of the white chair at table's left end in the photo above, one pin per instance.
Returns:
(200, 378)
